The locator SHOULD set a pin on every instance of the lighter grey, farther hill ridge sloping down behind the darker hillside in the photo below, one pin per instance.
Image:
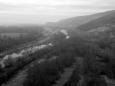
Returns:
(74, 22)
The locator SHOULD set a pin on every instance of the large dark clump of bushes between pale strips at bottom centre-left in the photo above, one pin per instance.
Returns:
(46, 73)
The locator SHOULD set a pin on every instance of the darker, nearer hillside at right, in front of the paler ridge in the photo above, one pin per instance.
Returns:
(104, 21)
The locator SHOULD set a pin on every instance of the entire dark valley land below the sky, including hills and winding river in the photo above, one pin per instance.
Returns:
(73, 52)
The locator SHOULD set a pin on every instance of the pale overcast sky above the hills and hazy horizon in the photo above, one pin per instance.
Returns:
(42, 11)
